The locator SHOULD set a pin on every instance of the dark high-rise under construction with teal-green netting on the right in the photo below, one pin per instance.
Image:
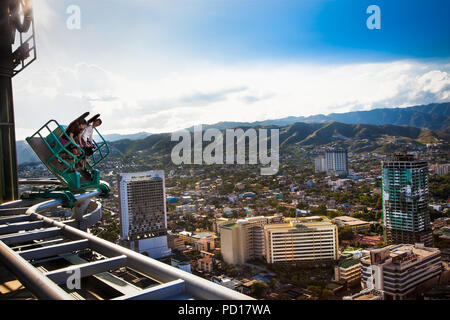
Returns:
(405, 201)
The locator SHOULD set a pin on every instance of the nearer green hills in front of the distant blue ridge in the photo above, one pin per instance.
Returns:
(356, 137)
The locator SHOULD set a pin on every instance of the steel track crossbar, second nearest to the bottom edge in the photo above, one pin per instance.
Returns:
(87, 269)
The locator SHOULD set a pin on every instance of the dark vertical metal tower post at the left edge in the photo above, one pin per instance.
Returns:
(16, 18)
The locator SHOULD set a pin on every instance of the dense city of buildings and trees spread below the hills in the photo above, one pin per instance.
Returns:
(309, 232)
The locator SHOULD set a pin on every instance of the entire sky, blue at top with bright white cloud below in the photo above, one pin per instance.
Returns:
(164, 65)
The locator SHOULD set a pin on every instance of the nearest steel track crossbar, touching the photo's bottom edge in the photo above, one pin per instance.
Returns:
(160, 292)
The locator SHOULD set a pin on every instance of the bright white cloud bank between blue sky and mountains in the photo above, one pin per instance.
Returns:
(212, 93)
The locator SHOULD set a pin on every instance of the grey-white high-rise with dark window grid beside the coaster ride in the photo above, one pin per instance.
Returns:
(143, 218)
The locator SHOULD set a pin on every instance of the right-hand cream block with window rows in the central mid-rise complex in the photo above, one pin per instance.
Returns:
(300, 240)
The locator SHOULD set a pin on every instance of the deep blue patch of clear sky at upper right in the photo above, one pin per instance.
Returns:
(318, 30)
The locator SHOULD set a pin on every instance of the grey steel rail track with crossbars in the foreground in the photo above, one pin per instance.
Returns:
(44, 253)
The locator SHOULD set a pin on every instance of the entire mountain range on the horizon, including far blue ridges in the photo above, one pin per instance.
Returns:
(359, 131)
